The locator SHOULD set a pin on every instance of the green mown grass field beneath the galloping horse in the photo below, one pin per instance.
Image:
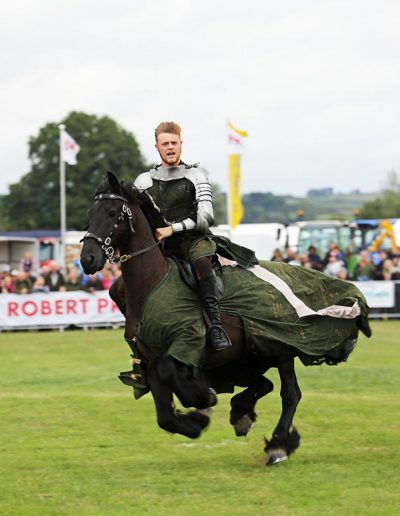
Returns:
(74, 441)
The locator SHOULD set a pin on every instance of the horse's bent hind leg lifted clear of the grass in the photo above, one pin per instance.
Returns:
(243, 416)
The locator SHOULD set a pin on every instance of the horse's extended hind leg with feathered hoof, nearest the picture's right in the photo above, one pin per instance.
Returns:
(284, 439)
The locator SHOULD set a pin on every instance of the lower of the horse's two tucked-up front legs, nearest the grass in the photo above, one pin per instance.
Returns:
(189, 425)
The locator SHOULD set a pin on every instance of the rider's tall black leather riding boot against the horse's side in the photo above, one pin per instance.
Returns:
(210, 296)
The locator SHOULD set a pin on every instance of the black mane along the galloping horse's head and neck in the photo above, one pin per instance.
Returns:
(132, 194)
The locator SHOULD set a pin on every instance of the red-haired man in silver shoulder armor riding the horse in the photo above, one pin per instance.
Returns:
(183, 195)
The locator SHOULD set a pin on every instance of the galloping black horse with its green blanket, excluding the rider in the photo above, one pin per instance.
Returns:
(273, 312)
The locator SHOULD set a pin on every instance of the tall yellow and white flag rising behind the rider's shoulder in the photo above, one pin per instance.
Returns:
(235, 140)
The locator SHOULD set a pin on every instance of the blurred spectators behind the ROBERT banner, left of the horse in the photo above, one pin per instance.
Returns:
(50, 278)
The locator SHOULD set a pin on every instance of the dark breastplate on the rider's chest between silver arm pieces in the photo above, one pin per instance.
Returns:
(176, 199)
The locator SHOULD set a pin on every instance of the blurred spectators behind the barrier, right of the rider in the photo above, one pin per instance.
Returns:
(361, 266)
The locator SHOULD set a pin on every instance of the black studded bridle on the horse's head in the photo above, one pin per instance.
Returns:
(109, 251)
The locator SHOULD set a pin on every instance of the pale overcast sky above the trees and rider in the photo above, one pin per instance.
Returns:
(316, 83)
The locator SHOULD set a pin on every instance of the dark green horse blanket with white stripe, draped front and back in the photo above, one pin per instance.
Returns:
(278, 304)
